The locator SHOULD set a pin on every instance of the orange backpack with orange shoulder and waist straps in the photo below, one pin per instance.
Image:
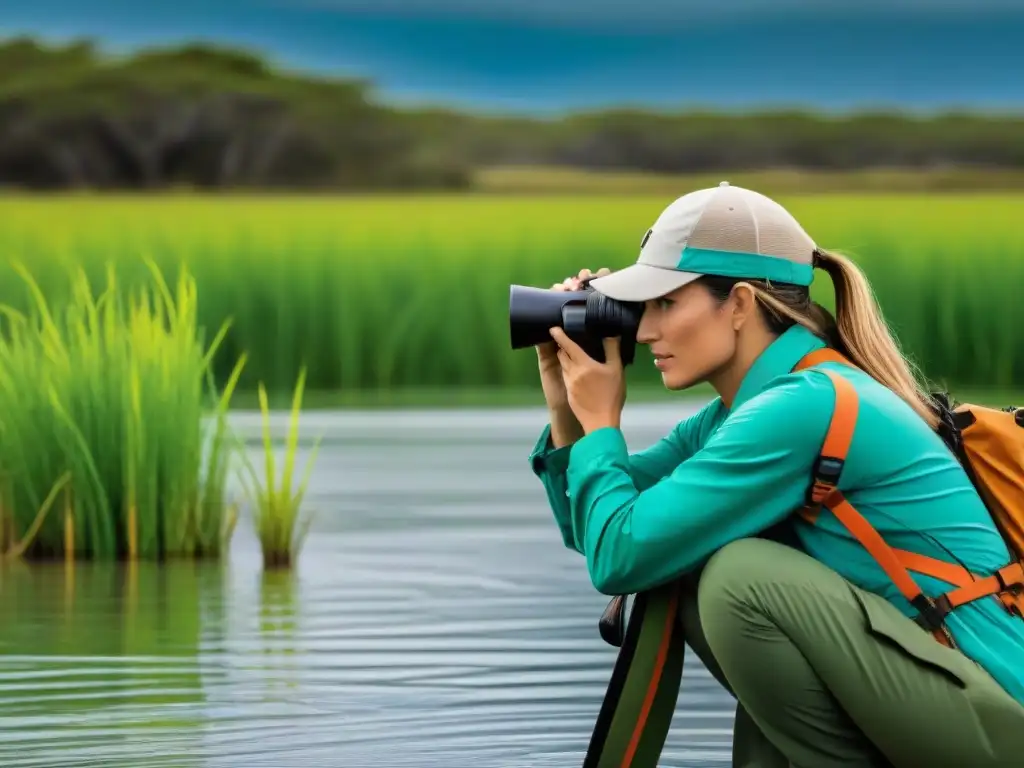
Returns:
(990, 445)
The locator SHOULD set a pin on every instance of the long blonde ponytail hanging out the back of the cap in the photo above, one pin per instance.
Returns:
(866, 338)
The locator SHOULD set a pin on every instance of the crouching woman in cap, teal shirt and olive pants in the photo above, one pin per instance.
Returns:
(815, 642)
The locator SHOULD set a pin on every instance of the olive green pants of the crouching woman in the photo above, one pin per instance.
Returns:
(829, 675)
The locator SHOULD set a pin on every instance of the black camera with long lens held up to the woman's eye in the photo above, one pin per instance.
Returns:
(587, 317)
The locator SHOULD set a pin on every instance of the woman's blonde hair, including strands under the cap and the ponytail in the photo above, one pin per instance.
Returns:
(859, 330)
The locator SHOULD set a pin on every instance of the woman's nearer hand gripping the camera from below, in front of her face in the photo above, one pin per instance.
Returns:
(596, 392)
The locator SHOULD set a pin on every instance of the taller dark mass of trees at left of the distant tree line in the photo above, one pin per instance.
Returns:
(193, 116)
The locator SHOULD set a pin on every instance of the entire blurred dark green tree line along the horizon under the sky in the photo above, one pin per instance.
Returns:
(207, 117)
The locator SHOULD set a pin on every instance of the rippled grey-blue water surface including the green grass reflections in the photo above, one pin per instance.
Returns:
(435, 619)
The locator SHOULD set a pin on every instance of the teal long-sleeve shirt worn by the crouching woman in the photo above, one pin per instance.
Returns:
(727, 474)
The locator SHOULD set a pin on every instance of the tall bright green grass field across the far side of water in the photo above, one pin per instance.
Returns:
(410, 294)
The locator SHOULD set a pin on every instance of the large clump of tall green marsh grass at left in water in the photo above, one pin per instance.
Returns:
(107, 451)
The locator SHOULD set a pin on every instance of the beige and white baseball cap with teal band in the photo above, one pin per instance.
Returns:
(722, 231)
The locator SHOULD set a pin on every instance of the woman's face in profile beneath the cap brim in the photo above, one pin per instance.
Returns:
(691, 334)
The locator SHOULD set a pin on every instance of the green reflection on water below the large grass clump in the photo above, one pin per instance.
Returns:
(101, 659)
